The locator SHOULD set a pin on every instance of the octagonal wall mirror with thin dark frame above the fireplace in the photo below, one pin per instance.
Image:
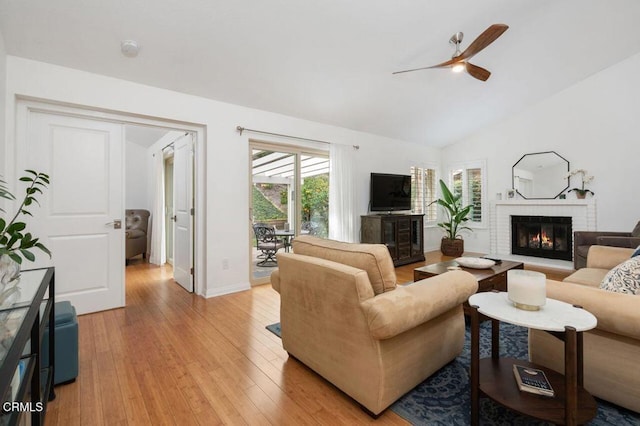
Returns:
(540, 175)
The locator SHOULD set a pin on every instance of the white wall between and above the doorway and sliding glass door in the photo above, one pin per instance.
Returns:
(227, 153)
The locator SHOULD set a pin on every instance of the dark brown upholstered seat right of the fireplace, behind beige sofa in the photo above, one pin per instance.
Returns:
(582, 240)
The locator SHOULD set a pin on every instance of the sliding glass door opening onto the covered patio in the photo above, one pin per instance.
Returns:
(290, 194)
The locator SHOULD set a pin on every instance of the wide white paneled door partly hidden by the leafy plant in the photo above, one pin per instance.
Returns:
(84, 159)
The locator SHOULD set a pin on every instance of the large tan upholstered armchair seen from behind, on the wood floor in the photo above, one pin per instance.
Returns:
(343, 315)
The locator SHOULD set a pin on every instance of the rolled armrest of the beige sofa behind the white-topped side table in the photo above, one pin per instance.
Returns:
(617, 313)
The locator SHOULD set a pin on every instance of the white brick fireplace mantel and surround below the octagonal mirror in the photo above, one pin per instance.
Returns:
(582, 213)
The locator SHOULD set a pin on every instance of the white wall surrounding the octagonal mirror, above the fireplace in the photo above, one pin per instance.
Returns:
(593, 124)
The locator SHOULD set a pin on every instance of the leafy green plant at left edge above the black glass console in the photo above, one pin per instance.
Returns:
(16, 244)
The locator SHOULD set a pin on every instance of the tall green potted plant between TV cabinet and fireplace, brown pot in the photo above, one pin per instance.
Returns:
(456, 216)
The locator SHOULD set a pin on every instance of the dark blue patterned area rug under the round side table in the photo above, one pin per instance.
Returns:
(444, 398)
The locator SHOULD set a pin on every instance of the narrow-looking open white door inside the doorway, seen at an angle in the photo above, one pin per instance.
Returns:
(182, 212)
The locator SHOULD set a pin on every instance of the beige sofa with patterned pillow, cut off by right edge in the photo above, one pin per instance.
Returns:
(612, 349)
